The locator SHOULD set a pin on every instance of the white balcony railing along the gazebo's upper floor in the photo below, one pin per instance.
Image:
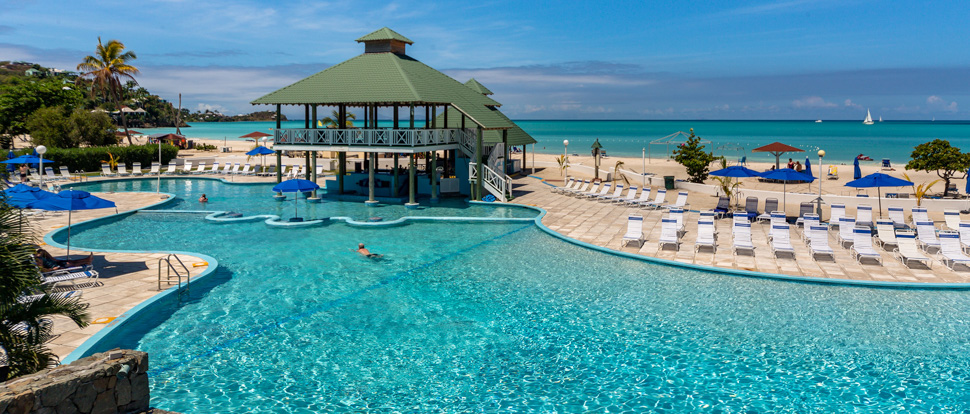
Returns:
(372, 137)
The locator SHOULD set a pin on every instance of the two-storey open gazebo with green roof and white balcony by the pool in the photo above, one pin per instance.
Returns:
(470, 133)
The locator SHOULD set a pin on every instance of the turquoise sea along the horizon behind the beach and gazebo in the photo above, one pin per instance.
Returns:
(841, 140)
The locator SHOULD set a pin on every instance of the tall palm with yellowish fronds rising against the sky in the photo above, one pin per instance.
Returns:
(106, 70)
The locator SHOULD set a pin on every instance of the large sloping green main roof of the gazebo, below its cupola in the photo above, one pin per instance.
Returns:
(385, 79)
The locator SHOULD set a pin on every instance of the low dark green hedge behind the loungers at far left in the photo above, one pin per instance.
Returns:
(89, 158)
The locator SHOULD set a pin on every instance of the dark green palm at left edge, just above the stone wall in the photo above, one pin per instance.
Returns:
(24, 328)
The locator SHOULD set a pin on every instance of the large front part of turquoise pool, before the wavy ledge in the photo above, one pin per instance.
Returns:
(502, 316)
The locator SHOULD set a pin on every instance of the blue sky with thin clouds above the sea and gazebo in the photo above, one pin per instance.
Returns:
(788, 59)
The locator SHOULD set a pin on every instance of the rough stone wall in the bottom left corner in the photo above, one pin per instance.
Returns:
(88, 385)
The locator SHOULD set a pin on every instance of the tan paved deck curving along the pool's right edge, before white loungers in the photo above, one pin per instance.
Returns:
(604, 224)
